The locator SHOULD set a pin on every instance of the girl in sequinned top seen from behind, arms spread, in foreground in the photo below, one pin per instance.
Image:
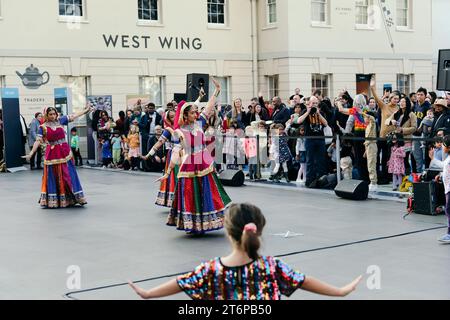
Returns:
(243, 274)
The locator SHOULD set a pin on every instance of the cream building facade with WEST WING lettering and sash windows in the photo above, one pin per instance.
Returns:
(126, 47)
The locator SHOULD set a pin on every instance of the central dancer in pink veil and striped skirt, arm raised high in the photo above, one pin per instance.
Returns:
(200, 199)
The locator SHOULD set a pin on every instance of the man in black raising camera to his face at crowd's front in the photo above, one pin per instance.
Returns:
(314, 123)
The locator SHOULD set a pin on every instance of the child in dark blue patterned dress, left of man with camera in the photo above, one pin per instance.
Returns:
(281, 152)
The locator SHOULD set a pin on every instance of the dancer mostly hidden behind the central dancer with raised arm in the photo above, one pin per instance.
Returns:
(167, 186)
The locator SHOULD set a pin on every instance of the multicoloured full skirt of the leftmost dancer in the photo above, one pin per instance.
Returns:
(61, 187)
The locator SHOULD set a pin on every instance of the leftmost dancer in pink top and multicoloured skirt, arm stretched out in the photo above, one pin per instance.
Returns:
(60, 184)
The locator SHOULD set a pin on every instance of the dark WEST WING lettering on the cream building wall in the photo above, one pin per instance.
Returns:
(137, 42)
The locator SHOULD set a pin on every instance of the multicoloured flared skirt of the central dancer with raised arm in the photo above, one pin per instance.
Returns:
(199, 204)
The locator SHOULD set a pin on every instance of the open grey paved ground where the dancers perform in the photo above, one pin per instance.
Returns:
(121, 235)
